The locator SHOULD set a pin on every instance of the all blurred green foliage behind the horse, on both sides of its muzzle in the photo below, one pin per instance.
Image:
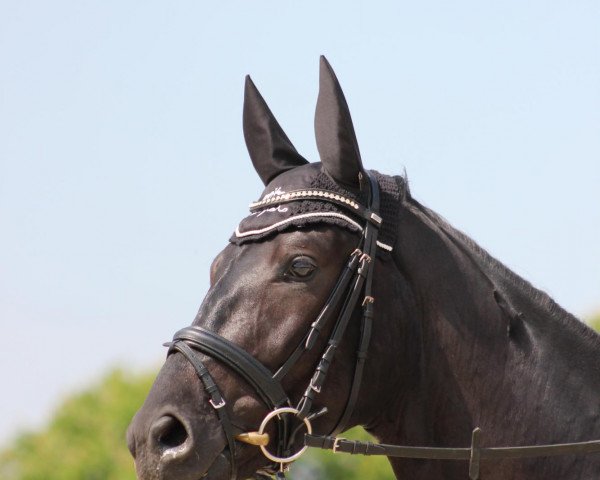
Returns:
(86, 440)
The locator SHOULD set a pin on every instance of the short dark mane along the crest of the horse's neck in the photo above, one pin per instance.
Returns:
(520, 292)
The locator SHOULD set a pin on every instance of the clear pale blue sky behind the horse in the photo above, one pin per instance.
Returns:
(123, 168)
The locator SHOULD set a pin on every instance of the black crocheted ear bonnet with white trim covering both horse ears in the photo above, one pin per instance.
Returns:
(338, 178)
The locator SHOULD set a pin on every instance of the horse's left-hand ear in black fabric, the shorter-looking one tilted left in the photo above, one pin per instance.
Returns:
(269, 147)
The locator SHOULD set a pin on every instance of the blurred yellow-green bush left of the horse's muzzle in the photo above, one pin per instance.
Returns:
(86, 438)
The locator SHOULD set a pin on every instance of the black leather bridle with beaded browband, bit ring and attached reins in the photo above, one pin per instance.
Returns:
(354, 283)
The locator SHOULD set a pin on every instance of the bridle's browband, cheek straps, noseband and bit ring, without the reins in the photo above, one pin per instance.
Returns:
(353, 285)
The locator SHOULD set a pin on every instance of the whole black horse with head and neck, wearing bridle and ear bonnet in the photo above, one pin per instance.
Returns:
(458, 340)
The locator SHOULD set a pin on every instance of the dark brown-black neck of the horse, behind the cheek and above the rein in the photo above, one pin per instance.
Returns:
(489, 355)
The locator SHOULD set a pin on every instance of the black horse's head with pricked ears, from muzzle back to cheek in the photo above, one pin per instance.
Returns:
(271, 289)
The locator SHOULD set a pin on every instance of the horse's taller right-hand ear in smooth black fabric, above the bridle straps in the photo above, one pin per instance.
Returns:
(336, 140)
